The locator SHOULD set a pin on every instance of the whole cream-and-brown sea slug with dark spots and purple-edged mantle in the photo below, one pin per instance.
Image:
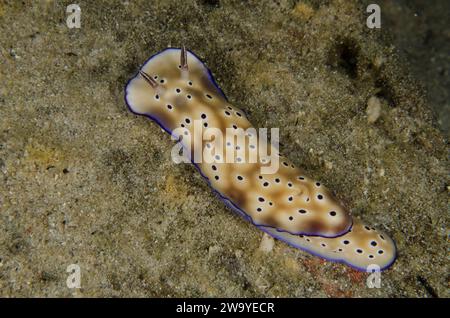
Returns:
(174, 88)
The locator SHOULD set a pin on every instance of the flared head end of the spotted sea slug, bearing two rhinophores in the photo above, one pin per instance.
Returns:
(168, 92)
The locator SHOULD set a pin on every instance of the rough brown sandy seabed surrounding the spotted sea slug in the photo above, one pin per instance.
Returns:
(84, 181)
